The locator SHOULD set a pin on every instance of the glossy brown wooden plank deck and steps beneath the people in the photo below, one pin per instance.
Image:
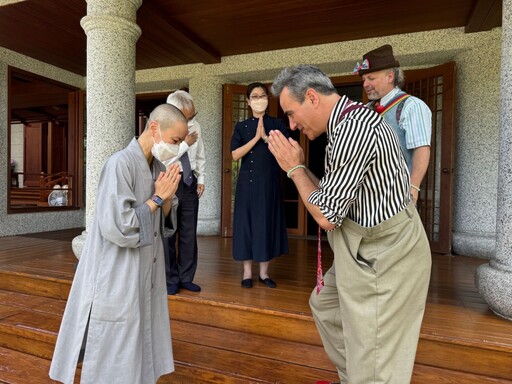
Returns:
(226, 334)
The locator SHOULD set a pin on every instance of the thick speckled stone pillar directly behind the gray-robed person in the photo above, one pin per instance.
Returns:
(112, 33)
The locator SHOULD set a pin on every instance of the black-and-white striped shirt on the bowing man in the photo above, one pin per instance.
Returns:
(366, 177)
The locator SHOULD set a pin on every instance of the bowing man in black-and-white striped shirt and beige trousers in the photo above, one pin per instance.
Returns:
(370, 308)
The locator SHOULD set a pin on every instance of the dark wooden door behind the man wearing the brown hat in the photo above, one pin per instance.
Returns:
(436, 87)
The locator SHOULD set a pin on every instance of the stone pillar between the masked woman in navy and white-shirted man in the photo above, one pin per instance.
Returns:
(207, 94)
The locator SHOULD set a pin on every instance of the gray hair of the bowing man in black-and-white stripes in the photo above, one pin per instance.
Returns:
(299, 79)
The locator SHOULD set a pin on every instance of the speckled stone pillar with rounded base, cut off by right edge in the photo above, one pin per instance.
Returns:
(494, 280)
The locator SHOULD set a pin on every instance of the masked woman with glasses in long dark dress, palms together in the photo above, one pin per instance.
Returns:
(259, 230)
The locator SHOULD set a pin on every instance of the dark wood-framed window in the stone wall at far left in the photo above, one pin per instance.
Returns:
(46, 144)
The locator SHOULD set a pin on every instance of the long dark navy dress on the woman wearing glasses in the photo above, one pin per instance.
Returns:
(259, 229)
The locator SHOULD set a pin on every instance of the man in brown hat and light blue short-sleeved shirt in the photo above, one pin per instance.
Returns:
(410, 117)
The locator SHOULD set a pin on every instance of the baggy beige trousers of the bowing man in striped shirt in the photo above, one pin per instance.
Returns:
(370, 310)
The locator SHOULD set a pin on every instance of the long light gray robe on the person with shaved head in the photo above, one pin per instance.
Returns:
(119, 285)
